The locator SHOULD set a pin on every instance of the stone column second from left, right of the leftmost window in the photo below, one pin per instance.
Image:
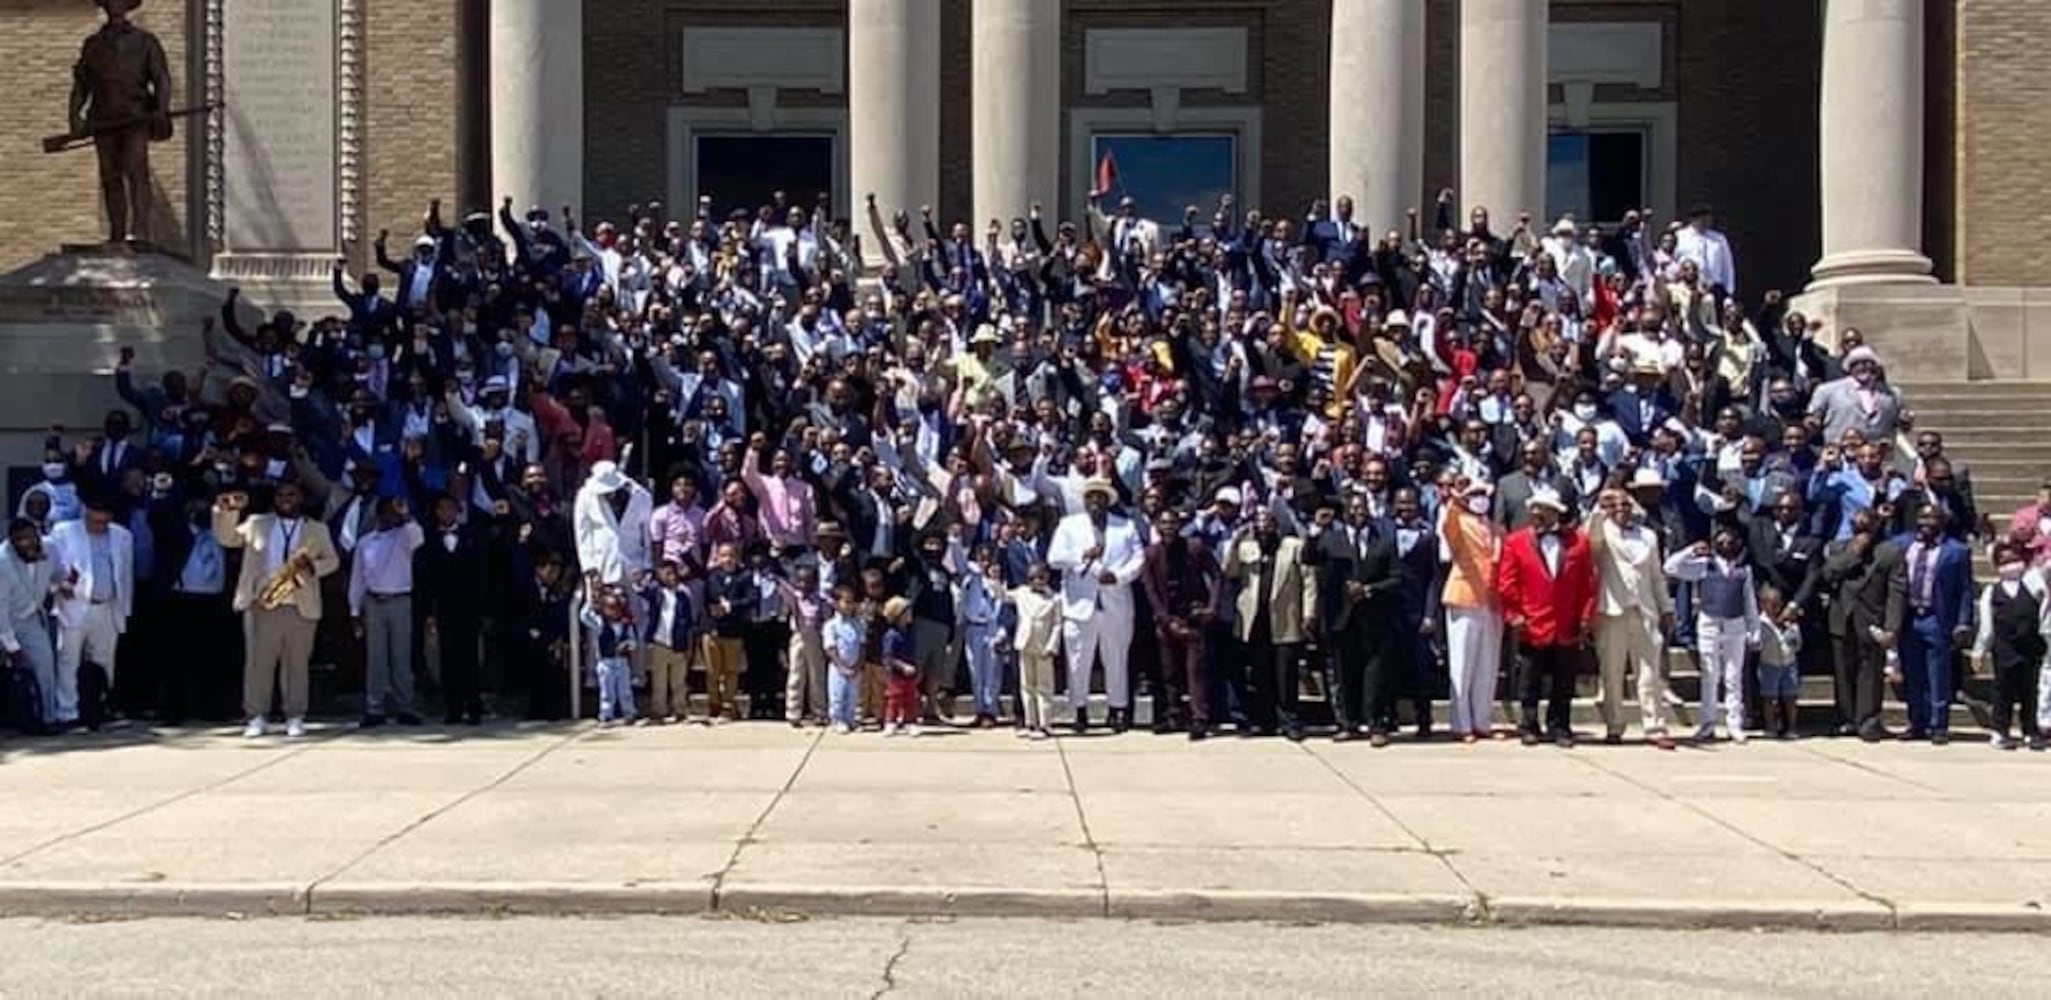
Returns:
(893, 106)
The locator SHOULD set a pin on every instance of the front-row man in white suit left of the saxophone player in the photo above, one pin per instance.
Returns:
(95, 571)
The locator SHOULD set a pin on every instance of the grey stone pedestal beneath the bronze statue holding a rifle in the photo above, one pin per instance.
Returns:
(65, 323)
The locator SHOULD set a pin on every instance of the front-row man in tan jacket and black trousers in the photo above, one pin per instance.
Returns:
(1277, 614)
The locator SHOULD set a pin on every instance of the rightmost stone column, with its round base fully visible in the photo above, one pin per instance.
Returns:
(1872, 142)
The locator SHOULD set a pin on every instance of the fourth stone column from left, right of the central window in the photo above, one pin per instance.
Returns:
(1377, 110)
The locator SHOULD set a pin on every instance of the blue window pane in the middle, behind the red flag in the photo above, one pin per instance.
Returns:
(1168, 173)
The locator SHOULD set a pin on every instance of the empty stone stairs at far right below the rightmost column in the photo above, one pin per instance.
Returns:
(2001, 431)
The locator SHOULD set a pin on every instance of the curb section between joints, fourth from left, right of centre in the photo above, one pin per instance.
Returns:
(1318, 909)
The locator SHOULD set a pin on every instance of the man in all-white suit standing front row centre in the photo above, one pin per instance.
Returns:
(1098, 556)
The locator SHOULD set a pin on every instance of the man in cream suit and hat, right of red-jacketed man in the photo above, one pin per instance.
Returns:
(1634, 612)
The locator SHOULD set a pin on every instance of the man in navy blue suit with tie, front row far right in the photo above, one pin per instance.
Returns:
(1939, 620)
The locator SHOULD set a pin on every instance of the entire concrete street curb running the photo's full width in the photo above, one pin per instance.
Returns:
(774, 901)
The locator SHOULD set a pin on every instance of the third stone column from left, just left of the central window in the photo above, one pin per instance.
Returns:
(1016, 108)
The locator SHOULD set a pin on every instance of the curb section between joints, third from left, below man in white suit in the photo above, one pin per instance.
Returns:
(908, 901)
